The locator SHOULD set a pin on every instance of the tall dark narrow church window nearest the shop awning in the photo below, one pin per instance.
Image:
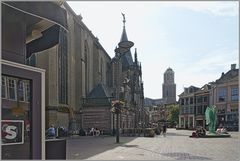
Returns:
(62, 67)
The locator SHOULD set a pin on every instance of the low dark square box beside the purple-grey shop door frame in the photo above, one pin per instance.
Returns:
(56, 149)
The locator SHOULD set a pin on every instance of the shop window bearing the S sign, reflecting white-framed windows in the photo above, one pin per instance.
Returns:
(18, 145)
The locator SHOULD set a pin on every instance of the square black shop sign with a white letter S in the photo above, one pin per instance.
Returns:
(12, 132)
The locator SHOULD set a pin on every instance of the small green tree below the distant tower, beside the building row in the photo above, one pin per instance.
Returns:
(173, 114)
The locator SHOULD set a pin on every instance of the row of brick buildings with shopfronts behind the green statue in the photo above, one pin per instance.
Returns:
(222, 93)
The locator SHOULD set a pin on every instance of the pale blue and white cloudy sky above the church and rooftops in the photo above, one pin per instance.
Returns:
(198, 40)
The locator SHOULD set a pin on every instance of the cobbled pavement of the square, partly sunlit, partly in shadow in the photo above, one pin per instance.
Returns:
(177, 145)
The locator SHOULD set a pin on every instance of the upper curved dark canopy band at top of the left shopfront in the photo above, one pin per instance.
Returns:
(50, 11)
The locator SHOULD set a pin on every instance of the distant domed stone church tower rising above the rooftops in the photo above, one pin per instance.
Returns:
(169, 87)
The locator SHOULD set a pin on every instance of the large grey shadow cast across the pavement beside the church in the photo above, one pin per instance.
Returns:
(87, 146)
